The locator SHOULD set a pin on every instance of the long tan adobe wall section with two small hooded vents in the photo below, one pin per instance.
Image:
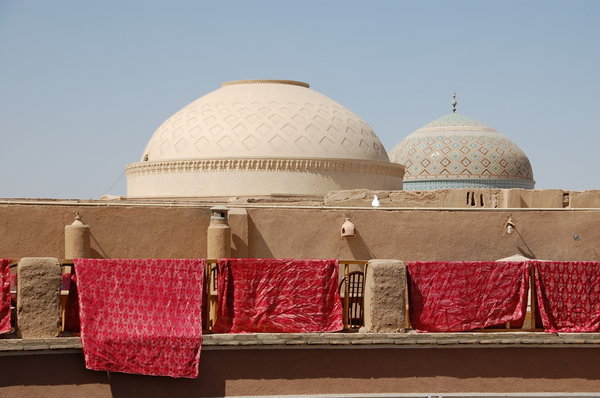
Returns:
(424, 235)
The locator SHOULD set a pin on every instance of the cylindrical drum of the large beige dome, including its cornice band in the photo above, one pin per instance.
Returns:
(235, 177)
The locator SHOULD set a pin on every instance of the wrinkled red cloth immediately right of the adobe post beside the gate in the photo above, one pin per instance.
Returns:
(459, 296)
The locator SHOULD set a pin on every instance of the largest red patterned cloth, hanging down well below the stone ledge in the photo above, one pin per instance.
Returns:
(141, 316)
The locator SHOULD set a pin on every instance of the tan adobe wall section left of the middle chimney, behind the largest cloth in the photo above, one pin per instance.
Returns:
(117, 231)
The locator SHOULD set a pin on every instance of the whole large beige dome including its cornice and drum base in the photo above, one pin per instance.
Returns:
(261, 137)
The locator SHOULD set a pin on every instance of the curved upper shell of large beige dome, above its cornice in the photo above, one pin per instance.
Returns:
(265, 120)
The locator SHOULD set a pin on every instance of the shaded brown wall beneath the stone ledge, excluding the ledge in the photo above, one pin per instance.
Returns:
(317, 371)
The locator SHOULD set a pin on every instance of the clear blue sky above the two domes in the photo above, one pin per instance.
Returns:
(84, 84)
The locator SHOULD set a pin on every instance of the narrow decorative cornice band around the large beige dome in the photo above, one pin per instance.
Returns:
(265, 165)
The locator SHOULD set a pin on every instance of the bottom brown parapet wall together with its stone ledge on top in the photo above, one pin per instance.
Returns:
(314, 365)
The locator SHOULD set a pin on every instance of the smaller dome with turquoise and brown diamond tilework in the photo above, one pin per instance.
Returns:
(456, 151)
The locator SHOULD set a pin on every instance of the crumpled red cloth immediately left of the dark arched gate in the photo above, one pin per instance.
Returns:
(278, 295)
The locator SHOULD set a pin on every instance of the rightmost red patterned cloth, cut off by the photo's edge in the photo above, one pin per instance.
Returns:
(568, 296)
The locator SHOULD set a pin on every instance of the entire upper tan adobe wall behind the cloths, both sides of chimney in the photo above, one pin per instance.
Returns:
(173, 232)
